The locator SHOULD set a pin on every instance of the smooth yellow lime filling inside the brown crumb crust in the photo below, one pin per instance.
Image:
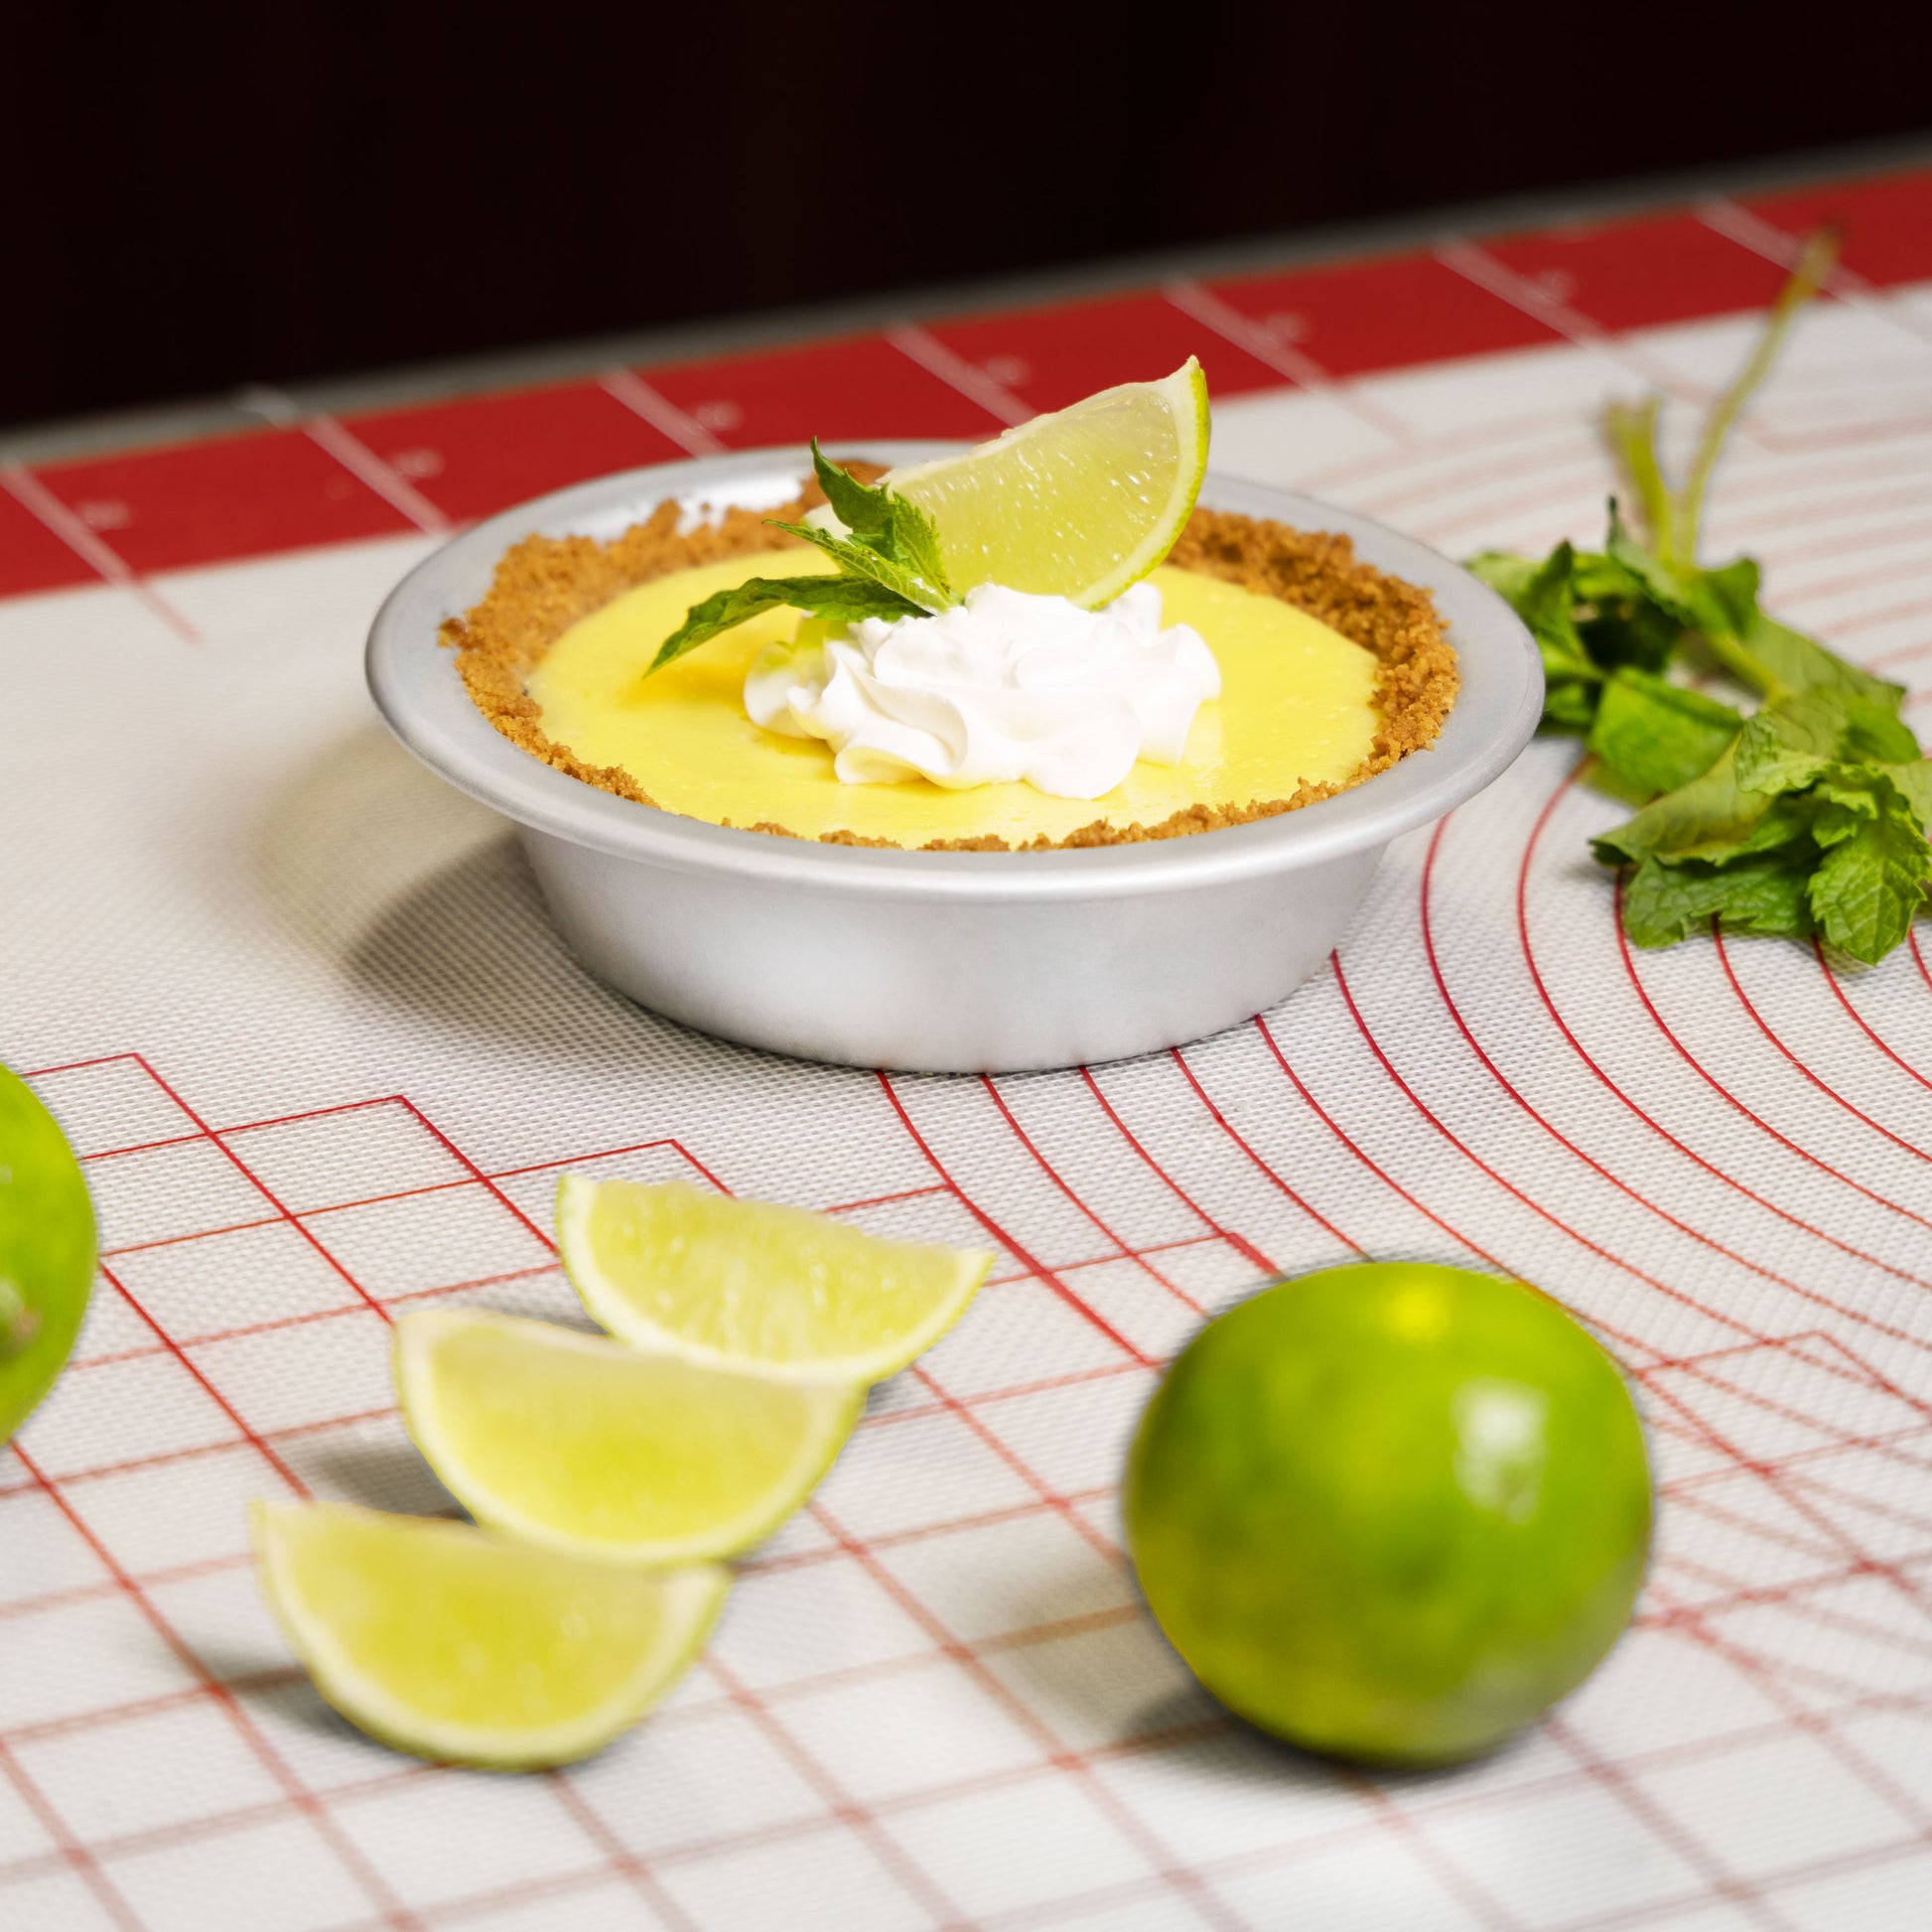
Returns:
(1297, 708)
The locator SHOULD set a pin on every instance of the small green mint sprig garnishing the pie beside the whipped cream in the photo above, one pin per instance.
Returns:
(890, 565)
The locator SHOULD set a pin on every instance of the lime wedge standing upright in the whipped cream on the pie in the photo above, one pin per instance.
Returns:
(1079, 503)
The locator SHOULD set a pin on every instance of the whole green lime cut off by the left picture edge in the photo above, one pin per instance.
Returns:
(47, 1251)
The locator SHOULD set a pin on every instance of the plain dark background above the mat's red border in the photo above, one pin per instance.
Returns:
(202, 198)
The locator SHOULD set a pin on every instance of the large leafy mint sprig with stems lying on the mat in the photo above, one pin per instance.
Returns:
(1807, 816)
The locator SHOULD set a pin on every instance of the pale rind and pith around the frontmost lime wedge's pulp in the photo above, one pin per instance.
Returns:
(685, 1606)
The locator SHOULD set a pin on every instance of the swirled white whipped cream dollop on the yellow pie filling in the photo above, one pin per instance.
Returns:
(1002, 687)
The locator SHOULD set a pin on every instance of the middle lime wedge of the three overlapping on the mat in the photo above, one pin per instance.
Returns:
(588, 1446)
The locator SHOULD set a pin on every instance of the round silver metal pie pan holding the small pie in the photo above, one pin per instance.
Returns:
(940, 961)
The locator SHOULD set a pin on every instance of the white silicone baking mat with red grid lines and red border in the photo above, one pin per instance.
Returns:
(302, 1011)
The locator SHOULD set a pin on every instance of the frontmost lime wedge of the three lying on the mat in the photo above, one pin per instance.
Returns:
(445, 1641)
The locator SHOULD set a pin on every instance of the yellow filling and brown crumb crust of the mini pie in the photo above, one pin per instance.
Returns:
(1332, 671)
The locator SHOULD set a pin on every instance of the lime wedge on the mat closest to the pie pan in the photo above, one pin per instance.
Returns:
(747, 1286)
